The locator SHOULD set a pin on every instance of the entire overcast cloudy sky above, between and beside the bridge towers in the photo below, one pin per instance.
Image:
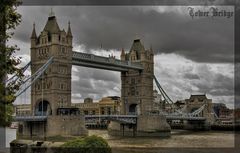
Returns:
(192, 55)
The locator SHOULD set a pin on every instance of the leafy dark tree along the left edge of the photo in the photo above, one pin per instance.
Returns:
(9, 19)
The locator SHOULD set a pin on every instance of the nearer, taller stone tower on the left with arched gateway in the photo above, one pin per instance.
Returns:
(53, 90)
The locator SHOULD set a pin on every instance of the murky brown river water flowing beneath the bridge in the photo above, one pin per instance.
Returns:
(178, 139)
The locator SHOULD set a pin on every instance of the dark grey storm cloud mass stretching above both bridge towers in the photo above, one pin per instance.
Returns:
(114, 27)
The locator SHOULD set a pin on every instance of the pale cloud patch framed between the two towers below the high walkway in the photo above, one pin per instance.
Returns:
(95, 83)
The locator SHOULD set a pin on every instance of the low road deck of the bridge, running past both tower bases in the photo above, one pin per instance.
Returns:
(126, 119)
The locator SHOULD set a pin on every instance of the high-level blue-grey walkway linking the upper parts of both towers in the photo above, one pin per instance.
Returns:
(107, 63)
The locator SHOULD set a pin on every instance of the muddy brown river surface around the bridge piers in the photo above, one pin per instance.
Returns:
(178, 142)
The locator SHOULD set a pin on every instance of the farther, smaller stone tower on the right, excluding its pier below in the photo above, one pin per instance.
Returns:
(137, 86)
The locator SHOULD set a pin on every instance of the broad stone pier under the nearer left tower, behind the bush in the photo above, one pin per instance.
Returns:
(52, 126)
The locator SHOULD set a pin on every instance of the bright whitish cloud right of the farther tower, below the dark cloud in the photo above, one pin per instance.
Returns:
(181, 80)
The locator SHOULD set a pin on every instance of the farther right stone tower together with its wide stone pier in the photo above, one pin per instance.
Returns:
(137, 96)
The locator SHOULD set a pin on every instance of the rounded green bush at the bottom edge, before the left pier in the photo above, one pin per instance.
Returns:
(90, 144)
